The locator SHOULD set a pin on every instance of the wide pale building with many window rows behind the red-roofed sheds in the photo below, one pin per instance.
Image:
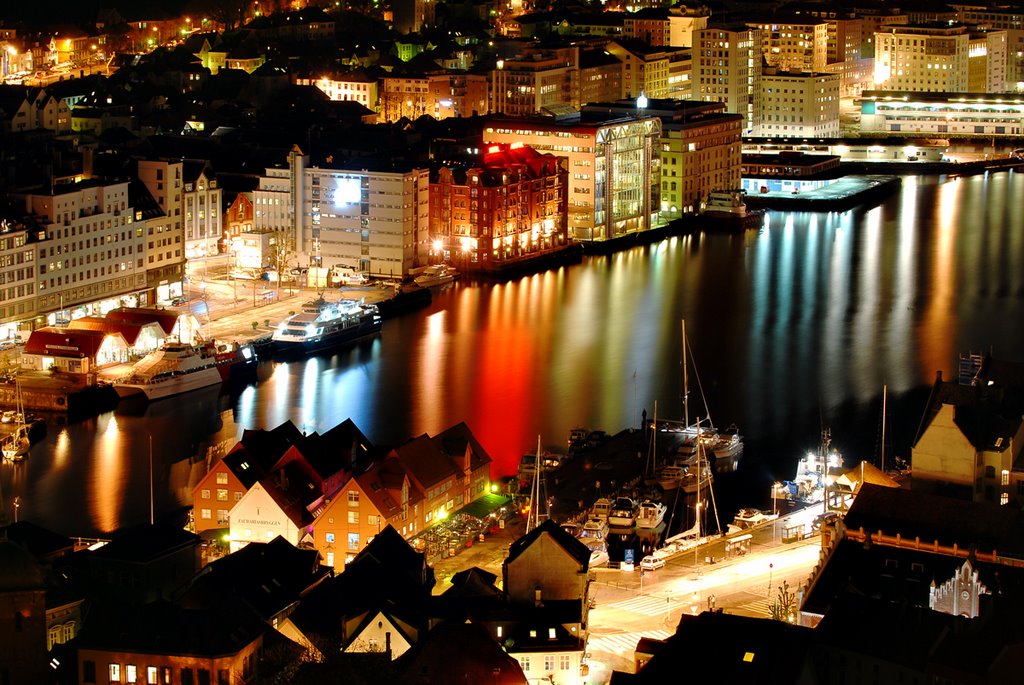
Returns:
(94, 260)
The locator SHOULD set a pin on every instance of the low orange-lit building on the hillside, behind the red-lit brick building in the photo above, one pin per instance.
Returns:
(441, 96)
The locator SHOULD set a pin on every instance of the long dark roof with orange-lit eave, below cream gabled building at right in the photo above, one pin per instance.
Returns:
(987, 527)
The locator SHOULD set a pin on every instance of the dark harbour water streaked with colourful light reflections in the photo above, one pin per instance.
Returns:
(793, 328)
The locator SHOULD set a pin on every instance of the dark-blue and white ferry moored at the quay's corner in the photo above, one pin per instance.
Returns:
(322, 325)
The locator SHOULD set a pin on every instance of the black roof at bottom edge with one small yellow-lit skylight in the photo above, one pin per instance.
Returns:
(727, 649)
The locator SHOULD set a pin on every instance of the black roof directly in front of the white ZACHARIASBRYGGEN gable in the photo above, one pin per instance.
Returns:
(267, 578)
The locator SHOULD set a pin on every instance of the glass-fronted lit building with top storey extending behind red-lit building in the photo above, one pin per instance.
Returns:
(615, 167)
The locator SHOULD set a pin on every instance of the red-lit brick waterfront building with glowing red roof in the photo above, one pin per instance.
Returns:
(510, 206)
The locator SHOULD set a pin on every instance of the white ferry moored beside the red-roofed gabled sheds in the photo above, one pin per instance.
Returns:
(179, 368)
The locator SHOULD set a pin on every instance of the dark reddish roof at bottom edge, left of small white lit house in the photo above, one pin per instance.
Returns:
(479, 659)
